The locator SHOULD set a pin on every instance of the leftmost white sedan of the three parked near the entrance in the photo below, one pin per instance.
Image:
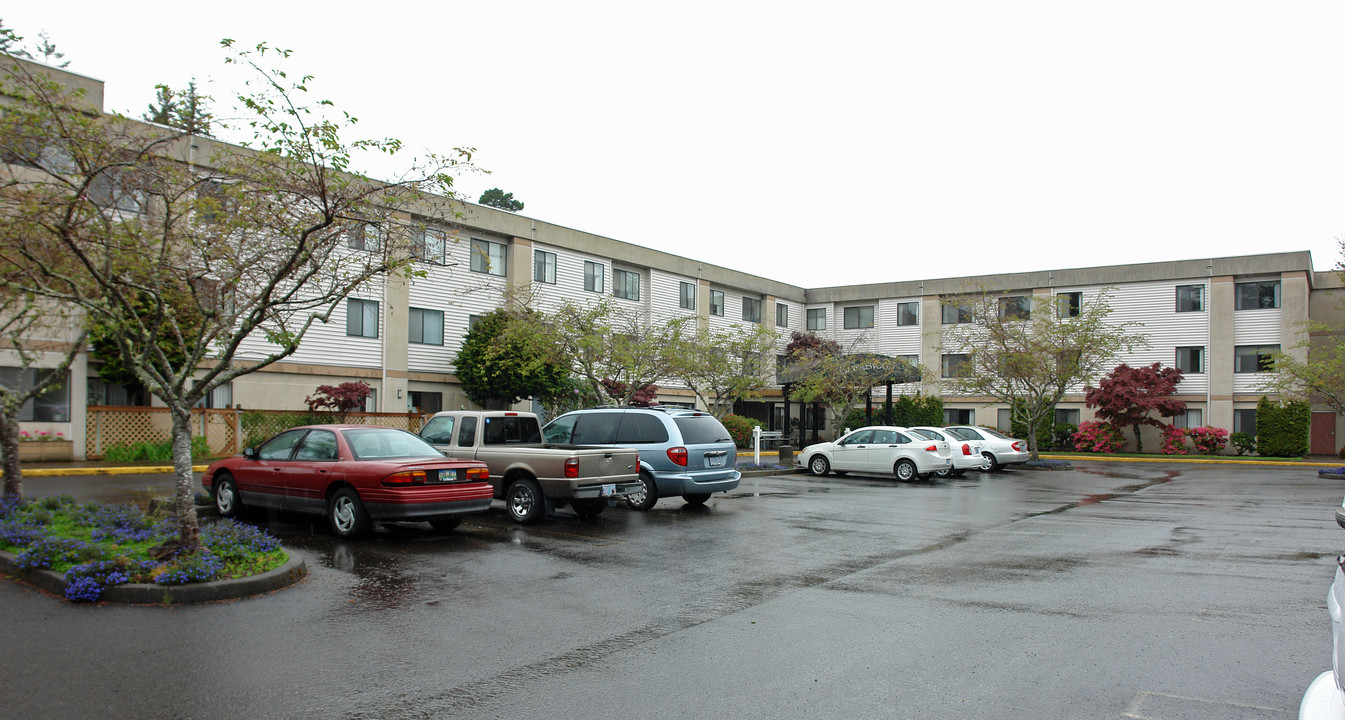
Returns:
(879, 450)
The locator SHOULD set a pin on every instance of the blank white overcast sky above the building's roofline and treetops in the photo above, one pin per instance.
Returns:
(822, 143)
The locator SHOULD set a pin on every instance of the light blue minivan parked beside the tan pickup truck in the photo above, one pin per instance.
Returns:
(683, 453)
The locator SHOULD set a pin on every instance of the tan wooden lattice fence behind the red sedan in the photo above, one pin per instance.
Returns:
(227, 433)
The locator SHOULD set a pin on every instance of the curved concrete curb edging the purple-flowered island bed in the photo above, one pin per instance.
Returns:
(53, 582)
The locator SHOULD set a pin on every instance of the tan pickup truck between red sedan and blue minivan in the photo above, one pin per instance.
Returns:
(533, 477)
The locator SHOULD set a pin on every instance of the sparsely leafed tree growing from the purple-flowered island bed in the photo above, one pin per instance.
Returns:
(171, 238)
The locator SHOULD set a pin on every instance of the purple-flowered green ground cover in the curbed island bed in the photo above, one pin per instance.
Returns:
(103, 546)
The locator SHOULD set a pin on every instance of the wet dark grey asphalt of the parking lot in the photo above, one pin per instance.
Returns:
(1114, 591)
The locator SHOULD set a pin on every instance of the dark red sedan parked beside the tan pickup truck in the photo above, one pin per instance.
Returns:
(354, 476)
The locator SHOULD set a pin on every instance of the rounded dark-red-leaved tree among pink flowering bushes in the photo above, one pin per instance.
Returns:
(1126, 396)
